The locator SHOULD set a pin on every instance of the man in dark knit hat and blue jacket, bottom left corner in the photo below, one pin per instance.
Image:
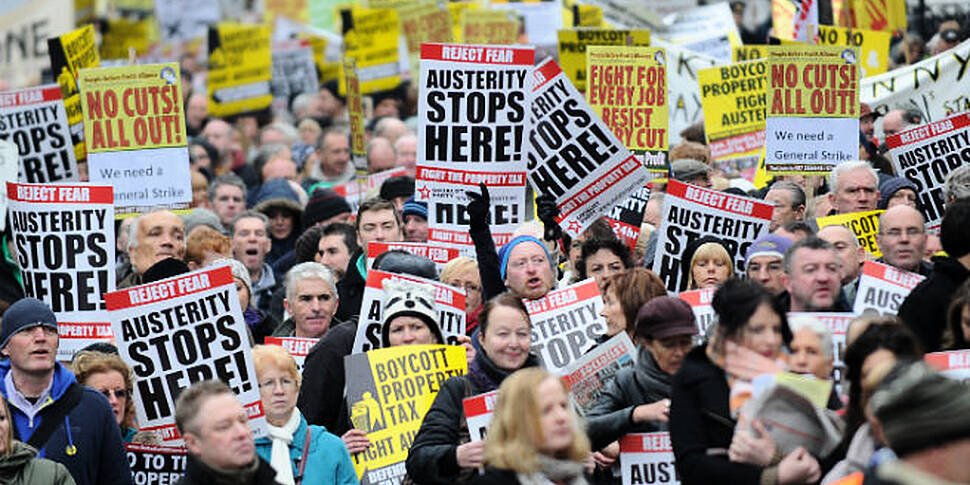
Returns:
(67, 422)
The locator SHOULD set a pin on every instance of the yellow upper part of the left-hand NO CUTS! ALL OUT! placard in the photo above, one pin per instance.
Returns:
(132, 107)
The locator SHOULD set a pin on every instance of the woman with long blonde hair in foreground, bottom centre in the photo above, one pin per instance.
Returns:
(535, 437)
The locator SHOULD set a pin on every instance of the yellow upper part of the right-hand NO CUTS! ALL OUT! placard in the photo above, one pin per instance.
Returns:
(813, 81)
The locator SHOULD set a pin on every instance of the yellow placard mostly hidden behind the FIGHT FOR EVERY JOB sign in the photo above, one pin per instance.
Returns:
(573, 43)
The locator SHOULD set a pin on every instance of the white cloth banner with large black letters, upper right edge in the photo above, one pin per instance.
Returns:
(935, 87)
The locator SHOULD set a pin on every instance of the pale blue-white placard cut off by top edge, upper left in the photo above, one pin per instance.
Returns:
(185, 20)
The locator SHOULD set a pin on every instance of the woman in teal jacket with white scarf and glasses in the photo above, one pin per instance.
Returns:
(288, 446)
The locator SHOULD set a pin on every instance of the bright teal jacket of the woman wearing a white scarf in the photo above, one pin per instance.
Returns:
(328, 461)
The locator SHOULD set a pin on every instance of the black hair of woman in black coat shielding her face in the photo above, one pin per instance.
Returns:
(737, 300)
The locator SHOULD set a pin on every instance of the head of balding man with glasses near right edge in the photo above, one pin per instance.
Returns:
(902, 239)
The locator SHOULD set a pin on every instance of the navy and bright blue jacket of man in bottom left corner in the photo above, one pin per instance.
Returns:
(99, 457)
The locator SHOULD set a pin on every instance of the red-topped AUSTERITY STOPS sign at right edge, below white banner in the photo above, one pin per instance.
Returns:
(925, 155)
